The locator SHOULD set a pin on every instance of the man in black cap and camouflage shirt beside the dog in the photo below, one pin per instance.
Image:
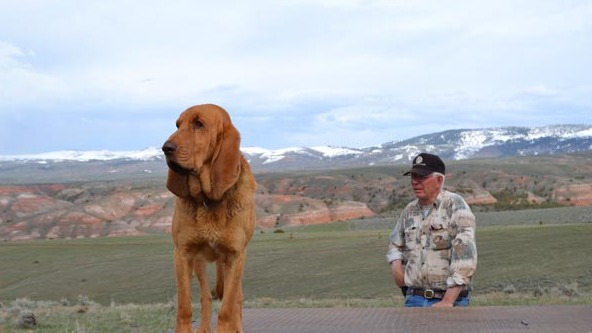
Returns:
(432, 250)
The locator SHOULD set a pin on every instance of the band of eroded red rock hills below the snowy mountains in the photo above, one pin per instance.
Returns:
(116, 208)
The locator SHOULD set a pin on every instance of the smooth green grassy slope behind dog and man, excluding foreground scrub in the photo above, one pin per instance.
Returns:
(291, 265)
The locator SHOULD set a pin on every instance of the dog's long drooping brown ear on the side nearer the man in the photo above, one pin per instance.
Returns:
(226, 164)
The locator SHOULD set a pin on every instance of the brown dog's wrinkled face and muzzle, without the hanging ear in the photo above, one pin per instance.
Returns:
(193, 143)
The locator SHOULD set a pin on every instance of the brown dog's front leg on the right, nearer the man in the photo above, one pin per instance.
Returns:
(230, 316)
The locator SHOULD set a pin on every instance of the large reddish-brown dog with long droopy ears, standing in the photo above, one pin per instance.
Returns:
(214, 216)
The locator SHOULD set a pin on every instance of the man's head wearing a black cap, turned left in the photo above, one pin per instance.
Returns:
(427, 177)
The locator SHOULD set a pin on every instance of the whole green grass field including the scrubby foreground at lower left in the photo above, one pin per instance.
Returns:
(131, 280)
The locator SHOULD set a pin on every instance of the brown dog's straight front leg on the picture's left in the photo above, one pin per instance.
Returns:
(183, 272)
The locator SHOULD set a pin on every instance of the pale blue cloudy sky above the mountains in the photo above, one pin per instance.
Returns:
(115, 74)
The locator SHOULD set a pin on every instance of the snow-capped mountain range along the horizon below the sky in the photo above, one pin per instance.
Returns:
(456, 144)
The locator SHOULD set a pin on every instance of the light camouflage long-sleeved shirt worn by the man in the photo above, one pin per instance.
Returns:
(438, 250)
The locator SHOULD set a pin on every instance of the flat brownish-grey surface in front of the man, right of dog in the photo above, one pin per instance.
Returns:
(552, 319)
